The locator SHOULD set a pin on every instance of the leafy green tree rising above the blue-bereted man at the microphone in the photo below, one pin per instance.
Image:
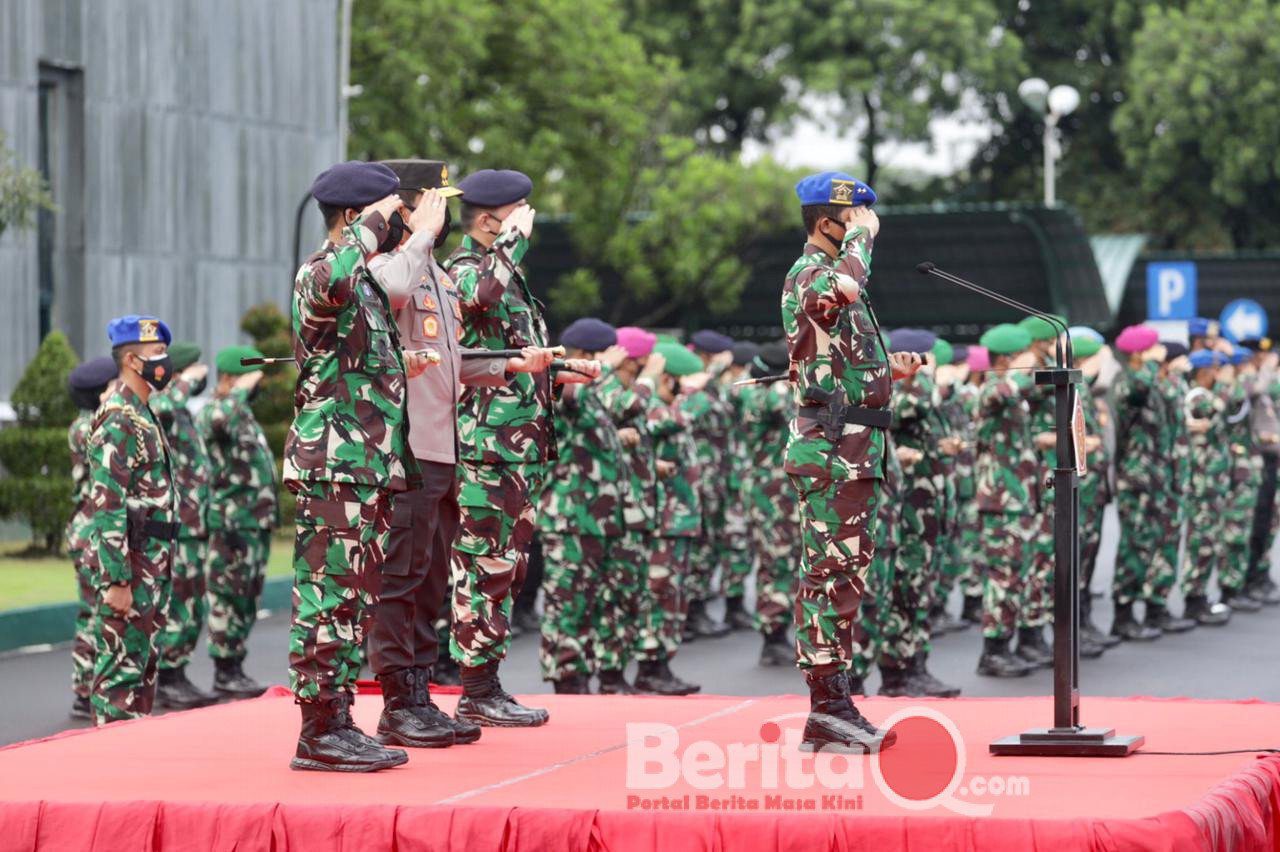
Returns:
(897, 65)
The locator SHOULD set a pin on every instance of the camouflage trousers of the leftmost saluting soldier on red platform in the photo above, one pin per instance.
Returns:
(342, 533)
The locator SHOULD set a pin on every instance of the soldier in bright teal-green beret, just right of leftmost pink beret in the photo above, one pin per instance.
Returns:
(679, 517)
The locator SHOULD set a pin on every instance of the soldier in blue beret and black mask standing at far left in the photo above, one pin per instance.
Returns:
(134, 525)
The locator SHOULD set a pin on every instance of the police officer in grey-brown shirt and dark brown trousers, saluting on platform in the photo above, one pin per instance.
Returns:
(404, 645)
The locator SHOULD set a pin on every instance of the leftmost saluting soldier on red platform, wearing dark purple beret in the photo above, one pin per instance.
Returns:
(345, 456)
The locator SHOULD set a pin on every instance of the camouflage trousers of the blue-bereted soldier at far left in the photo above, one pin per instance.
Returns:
(125, 647)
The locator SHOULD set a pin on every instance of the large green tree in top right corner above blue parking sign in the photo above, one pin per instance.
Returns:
(1201, 125)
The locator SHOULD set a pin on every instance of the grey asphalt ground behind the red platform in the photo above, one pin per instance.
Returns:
(1241, 661)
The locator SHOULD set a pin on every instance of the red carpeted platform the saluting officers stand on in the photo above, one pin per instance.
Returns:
(218, 780)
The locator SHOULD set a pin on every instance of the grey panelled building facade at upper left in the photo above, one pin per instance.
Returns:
(179, 138)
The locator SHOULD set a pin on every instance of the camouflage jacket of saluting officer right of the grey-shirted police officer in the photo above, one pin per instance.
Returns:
(514, 423)
